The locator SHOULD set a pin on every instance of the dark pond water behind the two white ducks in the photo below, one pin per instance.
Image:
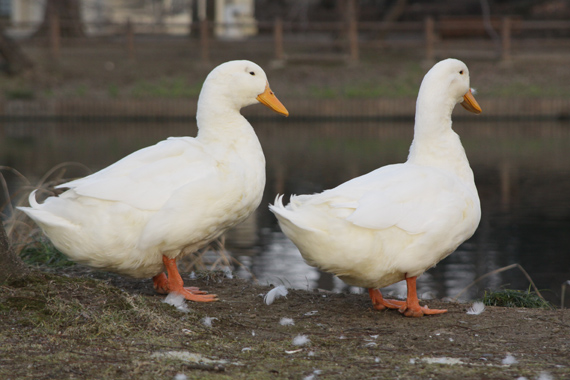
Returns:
(521, 169)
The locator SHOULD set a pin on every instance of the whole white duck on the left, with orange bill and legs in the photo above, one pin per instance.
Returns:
(139, 215)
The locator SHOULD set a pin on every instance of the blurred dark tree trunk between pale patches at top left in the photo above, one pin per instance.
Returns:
(69, 14)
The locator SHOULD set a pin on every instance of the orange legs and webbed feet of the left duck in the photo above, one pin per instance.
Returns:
(164, 284)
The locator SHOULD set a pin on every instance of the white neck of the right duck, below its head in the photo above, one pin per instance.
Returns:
(435, 143)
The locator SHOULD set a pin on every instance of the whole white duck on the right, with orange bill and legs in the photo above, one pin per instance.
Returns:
(396, 222)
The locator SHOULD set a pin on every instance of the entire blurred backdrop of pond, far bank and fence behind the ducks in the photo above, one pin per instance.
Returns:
(87, 82)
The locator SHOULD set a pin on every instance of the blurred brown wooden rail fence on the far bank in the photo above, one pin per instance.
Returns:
(347, 38)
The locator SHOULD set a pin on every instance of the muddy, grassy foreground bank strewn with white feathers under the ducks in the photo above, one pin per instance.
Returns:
(76, 323)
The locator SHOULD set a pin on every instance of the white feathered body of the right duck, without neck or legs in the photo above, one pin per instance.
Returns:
(374, 230)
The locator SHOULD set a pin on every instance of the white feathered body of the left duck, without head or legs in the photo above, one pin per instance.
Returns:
(171, 198)
